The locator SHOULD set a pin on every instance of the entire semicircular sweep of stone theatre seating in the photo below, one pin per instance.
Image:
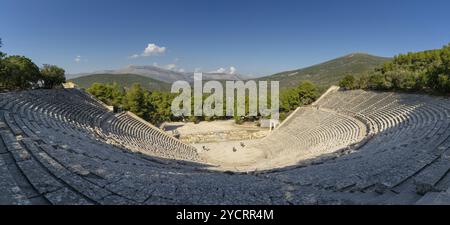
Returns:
(48, 155)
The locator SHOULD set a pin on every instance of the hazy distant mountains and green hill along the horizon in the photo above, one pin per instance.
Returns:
(322, 74)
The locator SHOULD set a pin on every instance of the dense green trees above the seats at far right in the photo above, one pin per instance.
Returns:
(427, 71)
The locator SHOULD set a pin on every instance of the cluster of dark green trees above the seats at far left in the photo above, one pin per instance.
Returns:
(20, 73)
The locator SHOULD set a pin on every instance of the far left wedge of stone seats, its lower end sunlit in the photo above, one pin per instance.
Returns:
(86, 116)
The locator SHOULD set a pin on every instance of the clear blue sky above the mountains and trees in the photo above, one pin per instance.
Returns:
(255, 37)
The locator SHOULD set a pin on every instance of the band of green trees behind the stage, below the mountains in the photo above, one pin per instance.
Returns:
(155, 106)
